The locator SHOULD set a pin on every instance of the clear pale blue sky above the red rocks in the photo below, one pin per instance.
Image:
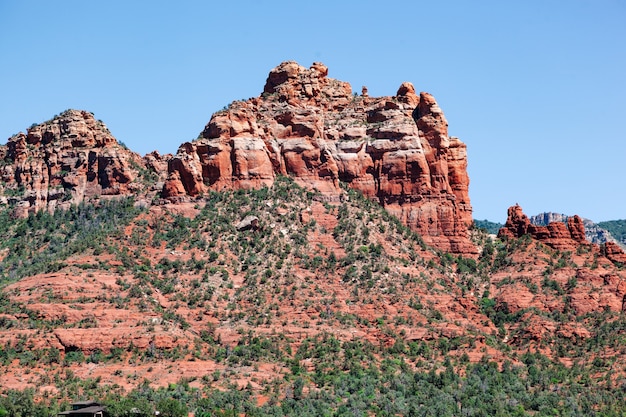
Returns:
(535, 88)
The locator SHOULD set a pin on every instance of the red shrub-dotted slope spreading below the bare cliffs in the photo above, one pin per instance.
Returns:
(313, 299)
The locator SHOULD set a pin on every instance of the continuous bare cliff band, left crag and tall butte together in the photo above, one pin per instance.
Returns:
(394, 149)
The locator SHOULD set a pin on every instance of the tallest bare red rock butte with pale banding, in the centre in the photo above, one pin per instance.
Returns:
(305, 125)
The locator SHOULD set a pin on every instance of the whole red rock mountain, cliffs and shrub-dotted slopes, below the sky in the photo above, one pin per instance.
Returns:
(311, 253)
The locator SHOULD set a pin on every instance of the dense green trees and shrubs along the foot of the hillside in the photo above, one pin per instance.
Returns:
(349, 385)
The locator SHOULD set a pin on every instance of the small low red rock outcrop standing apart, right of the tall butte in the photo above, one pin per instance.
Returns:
(556, 234)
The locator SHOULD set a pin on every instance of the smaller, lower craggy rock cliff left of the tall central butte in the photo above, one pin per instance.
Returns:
(66, 160)
